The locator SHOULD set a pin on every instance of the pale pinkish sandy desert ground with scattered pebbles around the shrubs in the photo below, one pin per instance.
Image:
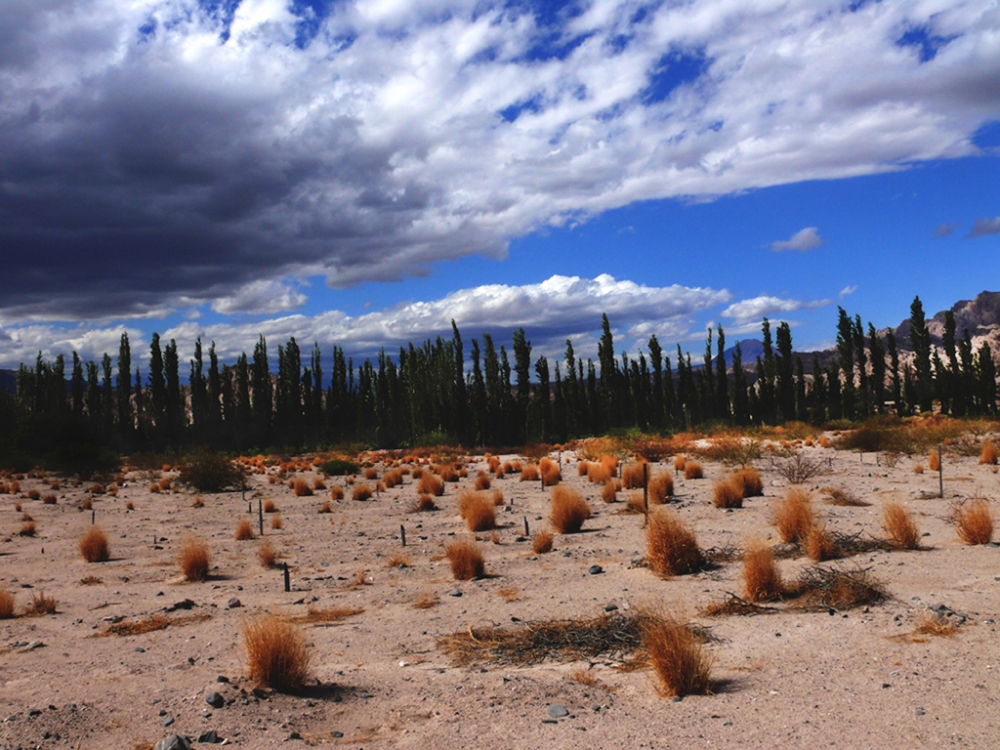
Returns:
(793, 679)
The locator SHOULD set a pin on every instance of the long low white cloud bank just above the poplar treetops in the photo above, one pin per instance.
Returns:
(558, 308)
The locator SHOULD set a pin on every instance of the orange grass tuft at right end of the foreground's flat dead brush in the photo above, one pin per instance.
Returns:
(678, 656)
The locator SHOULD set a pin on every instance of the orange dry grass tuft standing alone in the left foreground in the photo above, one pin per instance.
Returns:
(276, 654)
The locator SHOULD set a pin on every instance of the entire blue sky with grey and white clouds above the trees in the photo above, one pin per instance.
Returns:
(361, 173)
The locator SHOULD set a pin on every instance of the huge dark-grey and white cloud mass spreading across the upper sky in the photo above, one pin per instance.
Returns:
(166, 153)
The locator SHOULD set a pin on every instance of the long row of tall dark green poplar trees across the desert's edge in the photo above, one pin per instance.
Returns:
(432, 393)
